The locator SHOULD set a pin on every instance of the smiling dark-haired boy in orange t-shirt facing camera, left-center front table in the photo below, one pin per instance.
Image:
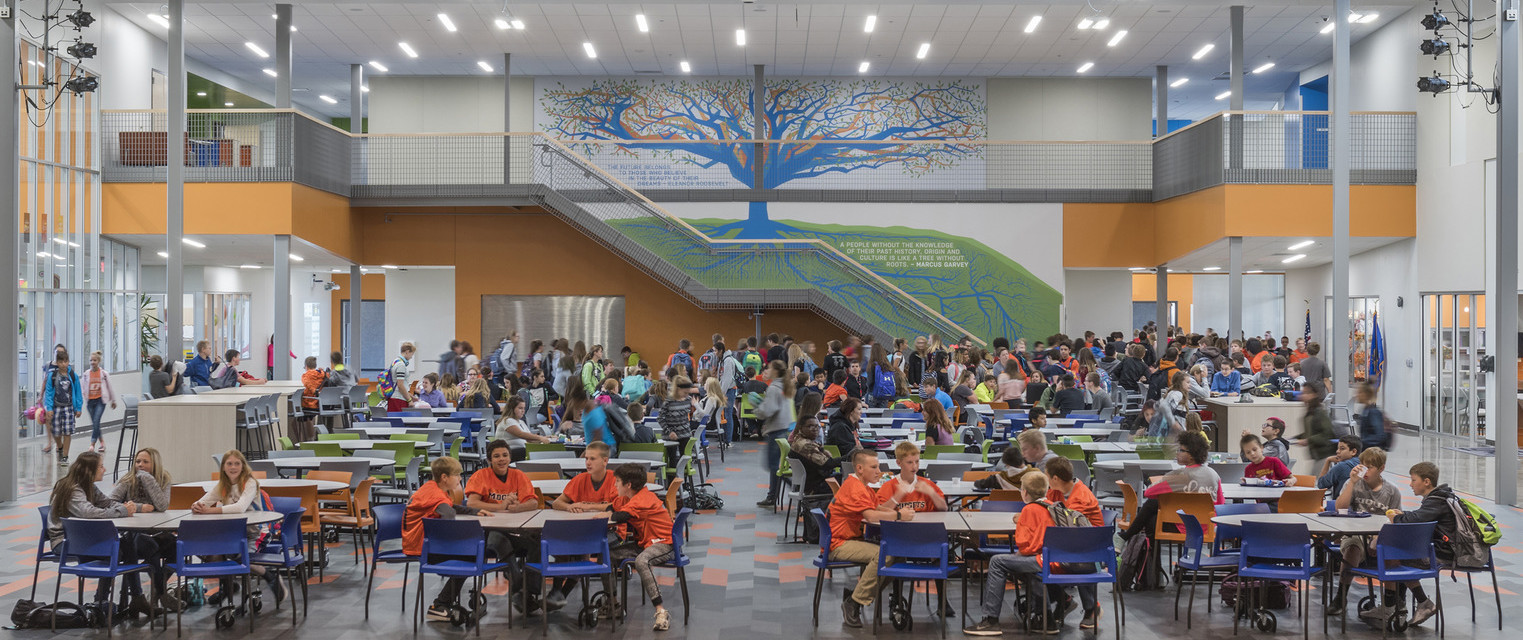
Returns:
(500, 488)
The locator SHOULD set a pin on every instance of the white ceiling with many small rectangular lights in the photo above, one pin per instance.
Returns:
(816, 39)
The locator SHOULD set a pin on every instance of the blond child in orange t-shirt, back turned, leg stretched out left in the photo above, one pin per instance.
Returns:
(1032, 526)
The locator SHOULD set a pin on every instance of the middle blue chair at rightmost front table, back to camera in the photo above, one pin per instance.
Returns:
(1280, 552)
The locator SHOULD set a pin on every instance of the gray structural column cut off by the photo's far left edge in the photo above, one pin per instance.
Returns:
(10, 255)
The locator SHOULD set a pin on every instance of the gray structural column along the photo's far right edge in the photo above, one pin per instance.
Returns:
(1505, 248)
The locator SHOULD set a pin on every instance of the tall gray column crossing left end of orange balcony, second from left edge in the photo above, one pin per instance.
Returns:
(176, 185)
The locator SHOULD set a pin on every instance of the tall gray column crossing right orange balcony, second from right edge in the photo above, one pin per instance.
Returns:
(1339, 85)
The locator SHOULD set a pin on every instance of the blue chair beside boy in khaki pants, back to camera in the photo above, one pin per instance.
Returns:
(921, 554)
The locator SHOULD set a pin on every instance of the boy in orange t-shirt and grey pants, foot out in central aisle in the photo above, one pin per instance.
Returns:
(643, 516)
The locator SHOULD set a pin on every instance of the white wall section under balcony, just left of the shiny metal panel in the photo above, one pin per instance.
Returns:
(421, 309)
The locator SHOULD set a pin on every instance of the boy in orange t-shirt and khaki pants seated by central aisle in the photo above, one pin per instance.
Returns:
(854, 507)
